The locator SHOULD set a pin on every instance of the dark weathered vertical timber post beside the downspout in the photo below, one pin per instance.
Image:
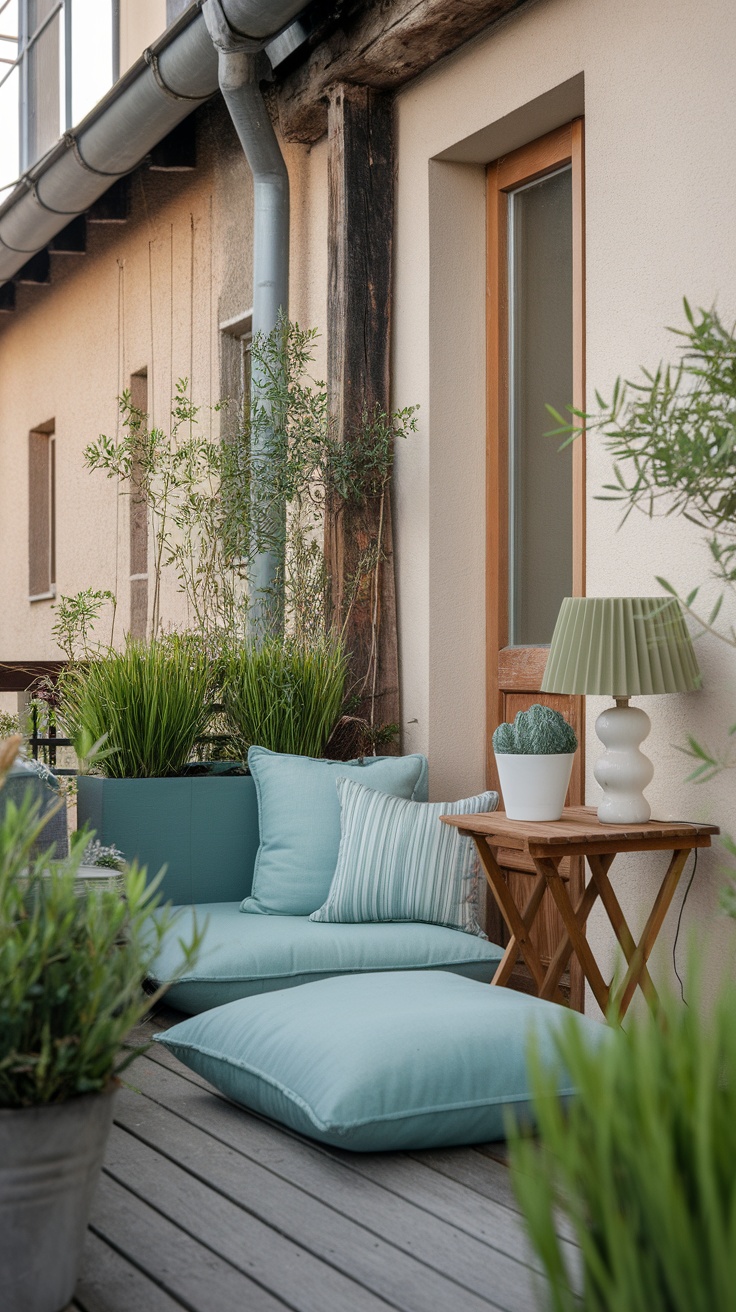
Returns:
(360, 249)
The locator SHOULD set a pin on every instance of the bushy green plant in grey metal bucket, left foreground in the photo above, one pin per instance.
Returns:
(72, 973)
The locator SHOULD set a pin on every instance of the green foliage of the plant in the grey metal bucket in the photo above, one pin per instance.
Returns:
(72, 969)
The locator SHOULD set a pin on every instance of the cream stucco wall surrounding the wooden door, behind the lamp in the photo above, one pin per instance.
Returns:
(657, 91)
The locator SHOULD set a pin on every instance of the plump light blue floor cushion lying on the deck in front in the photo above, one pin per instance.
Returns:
(378, 1062)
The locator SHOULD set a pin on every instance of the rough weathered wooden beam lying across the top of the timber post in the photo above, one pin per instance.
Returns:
(382, 47)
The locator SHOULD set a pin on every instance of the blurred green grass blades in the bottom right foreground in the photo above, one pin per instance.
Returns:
(641, 1164)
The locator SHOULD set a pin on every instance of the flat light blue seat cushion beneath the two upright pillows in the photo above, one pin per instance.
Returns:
(243, 956)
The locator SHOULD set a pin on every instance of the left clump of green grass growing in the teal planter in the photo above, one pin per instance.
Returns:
(149, 704)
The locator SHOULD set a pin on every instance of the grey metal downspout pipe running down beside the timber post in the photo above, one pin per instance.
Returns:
(238, 60)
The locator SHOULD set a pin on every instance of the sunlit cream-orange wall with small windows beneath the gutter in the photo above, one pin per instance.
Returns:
(148, 295)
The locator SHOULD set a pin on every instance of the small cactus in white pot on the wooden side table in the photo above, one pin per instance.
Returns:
(535, 759)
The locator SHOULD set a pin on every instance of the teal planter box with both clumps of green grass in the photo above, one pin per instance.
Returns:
(152, 705)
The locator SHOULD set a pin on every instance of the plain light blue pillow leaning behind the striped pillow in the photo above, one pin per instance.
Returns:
(300, 822)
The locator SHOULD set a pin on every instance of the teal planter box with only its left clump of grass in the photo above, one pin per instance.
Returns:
(152, 704)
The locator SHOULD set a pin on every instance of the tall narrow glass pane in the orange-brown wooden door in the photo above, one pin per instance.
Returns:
(540, 372)
